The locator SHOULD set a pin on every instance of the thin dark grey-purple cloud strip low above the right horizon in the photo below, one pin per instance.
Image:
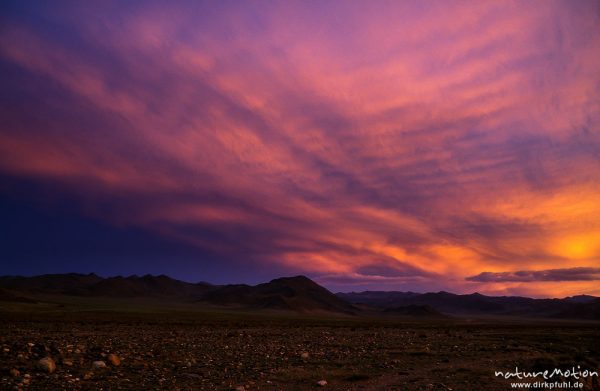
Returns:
(567, 274)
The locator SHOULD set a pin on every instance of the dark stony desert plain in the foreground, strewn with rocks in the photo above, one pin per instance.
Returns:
(162, 346)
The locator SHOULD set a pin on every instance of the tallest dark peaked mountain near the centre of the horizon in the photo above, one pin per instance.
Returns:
(290, 293)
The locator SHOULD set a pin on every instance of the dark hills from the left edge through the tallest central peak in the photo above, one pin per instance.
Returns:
(291, 293)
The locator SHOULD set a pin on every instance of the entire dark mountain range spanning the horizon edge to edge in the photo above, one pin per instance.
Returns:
(298, 293)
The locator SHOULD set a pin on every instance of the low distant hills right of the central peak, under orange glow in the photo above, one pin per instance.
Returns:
(577, 307)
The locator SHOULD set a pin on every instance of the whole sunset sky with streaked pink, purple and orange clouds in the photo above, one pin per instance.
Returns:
(413, 145)
